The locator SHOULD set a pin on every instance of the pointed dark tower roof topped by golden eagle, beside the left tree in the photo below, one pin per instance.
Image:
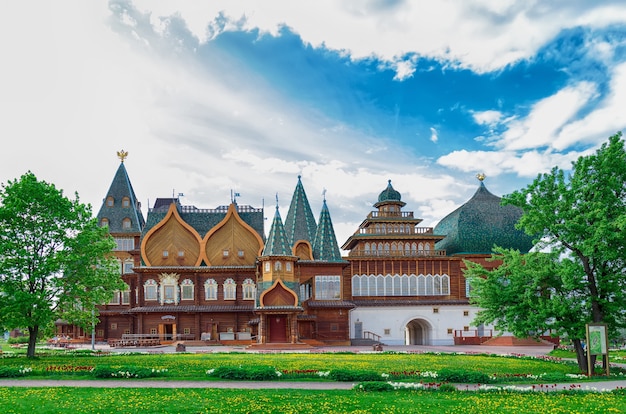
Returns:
(121, 203)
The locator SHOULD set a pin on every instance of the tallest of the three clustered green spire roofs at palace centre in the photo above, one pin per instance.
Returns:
(300, 223)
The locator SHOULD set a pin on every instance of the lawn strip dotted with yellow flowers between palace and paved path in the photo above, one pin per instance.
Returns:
(190, 366)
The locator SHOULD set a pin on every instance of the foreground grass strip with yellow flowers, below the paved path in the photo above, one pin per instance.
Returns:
(125, 400)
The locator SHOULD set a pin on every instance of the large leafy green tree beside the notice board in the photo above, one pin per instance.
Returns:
(577, 273)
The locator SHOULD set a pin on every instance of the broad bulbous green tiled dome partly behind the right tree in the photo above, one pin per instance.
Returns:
(481, 223)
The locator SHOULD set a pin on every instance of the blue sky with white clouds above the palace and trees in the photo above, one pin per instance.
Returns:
(215, 97)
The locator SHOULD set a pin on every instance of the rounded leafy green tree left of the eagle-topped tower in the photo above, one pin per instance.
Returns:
(55, 261)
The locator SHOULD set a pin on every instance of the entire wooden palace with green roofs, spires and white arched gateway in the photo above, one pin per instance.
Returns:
(212, 275)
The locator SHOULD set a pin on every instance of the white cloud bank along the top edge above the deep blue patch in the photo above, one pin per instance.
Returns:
(481, 35)
